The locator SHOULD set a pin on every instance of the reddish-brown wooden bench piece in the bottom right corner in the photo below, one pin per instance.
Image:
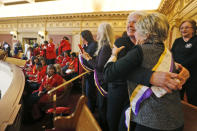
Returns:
(190, 117)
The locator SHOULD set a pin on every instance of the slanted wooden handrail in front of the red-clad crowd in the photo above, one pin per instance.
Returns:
(66, 83)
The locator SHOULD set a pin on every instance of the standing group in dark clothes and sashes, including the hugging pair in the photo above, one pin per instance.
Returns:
(135, 76)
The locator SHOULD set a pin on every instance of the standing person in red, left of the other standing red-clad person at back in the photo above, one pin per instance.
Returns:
(50, 52)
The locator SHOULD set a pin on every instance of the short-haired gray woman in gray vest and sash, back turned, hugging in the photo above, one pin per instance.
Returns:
(152, 108)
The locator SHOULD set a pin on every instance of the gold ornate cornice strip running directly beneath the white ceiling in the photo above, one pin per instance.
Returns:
(68, 17)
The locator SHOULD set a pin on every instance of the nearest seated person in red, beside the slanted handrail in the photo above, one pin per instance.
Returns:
(51, 80)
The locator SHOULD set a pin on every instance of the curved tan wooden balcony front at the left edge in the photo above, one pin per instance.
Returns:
(10, 102)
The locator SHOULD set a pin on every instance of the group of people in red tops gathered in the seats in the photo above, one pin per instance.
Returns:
(44, 70)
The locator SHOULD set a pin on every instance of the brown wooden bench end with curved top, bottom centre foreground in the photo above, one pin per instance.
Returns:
(81, 120)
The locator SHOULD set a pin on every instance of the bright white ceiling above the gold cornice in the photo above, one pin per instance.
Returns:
(17, 8)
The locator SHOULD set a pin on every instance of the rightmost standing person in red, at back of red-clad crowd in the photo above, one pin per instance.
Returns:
(64, 46)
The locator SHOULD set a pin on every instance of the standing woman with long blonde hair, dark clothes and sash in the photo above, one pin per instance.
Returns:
(105, 37)
